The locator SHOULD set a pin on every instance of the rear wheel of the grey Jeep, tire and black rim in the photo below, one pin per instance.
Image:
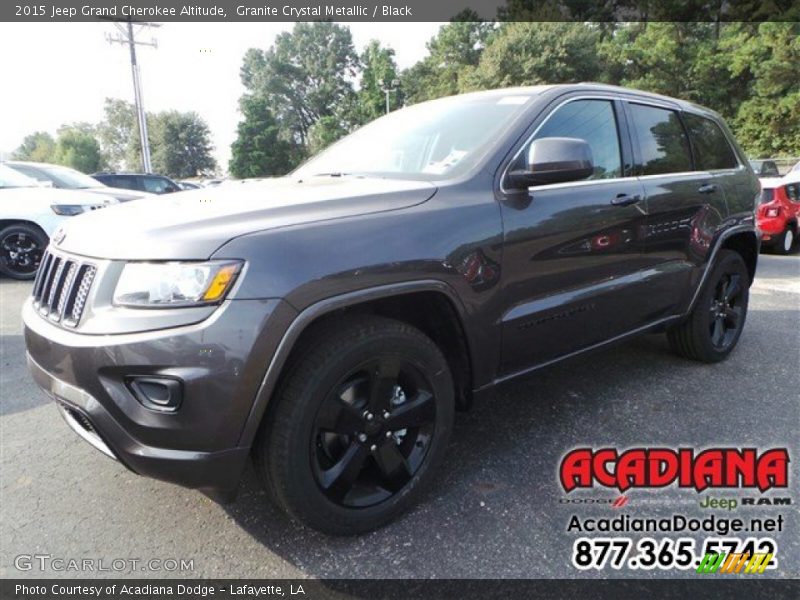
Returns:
(714, 326)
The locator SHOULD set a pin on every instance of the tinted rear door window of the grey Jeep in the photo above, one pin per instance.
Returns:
(662, 140)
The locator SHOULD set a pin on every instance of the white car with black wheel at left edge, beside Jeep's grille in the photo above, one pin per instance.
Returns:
(30, 214)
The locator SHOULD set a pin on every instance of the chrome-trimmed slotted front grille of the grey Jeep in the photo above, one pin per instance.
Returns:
(61, 288)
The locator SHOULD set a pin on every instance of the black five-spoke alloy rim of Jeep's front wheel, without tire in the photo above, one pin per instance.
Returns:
(372, 432)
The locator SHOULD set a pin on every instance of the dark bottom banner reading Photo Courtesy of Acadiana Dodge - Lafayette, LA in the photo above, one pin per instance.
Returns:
(753, 587)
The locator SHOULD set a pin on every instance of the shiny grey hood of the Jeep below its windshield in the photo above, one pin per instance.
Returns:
(193, 224)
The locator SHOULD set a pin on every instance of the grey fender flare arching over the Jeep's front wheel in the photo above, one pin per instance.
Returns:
(308, 316)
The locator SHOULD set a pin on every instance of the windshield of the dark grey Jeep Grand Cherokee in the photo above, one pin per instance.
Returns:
(433, 140)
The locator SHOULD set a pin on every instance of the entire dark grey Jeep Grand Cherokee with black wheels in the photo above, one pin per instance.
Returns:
(328, 323)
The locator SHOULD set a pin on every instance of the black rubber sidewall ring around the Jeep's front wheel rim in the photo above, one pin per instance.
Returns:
(299, 477)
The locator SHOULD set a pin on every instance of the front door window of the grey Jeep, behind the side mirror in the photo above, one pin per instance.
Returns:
(594, 122)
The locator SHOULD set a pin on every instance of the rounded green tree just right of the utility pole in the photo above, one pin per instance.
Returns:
(180, 144)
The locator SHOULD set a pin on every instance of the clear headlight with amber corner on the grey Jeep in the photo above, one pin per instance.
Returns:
(168, 285)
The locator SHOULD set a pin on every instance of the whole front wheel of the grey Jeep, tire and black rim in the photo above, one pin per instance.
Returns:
(323, 458)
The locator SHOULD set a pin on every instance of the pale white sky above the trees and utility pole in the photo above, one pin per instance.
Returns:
(59, 73)
